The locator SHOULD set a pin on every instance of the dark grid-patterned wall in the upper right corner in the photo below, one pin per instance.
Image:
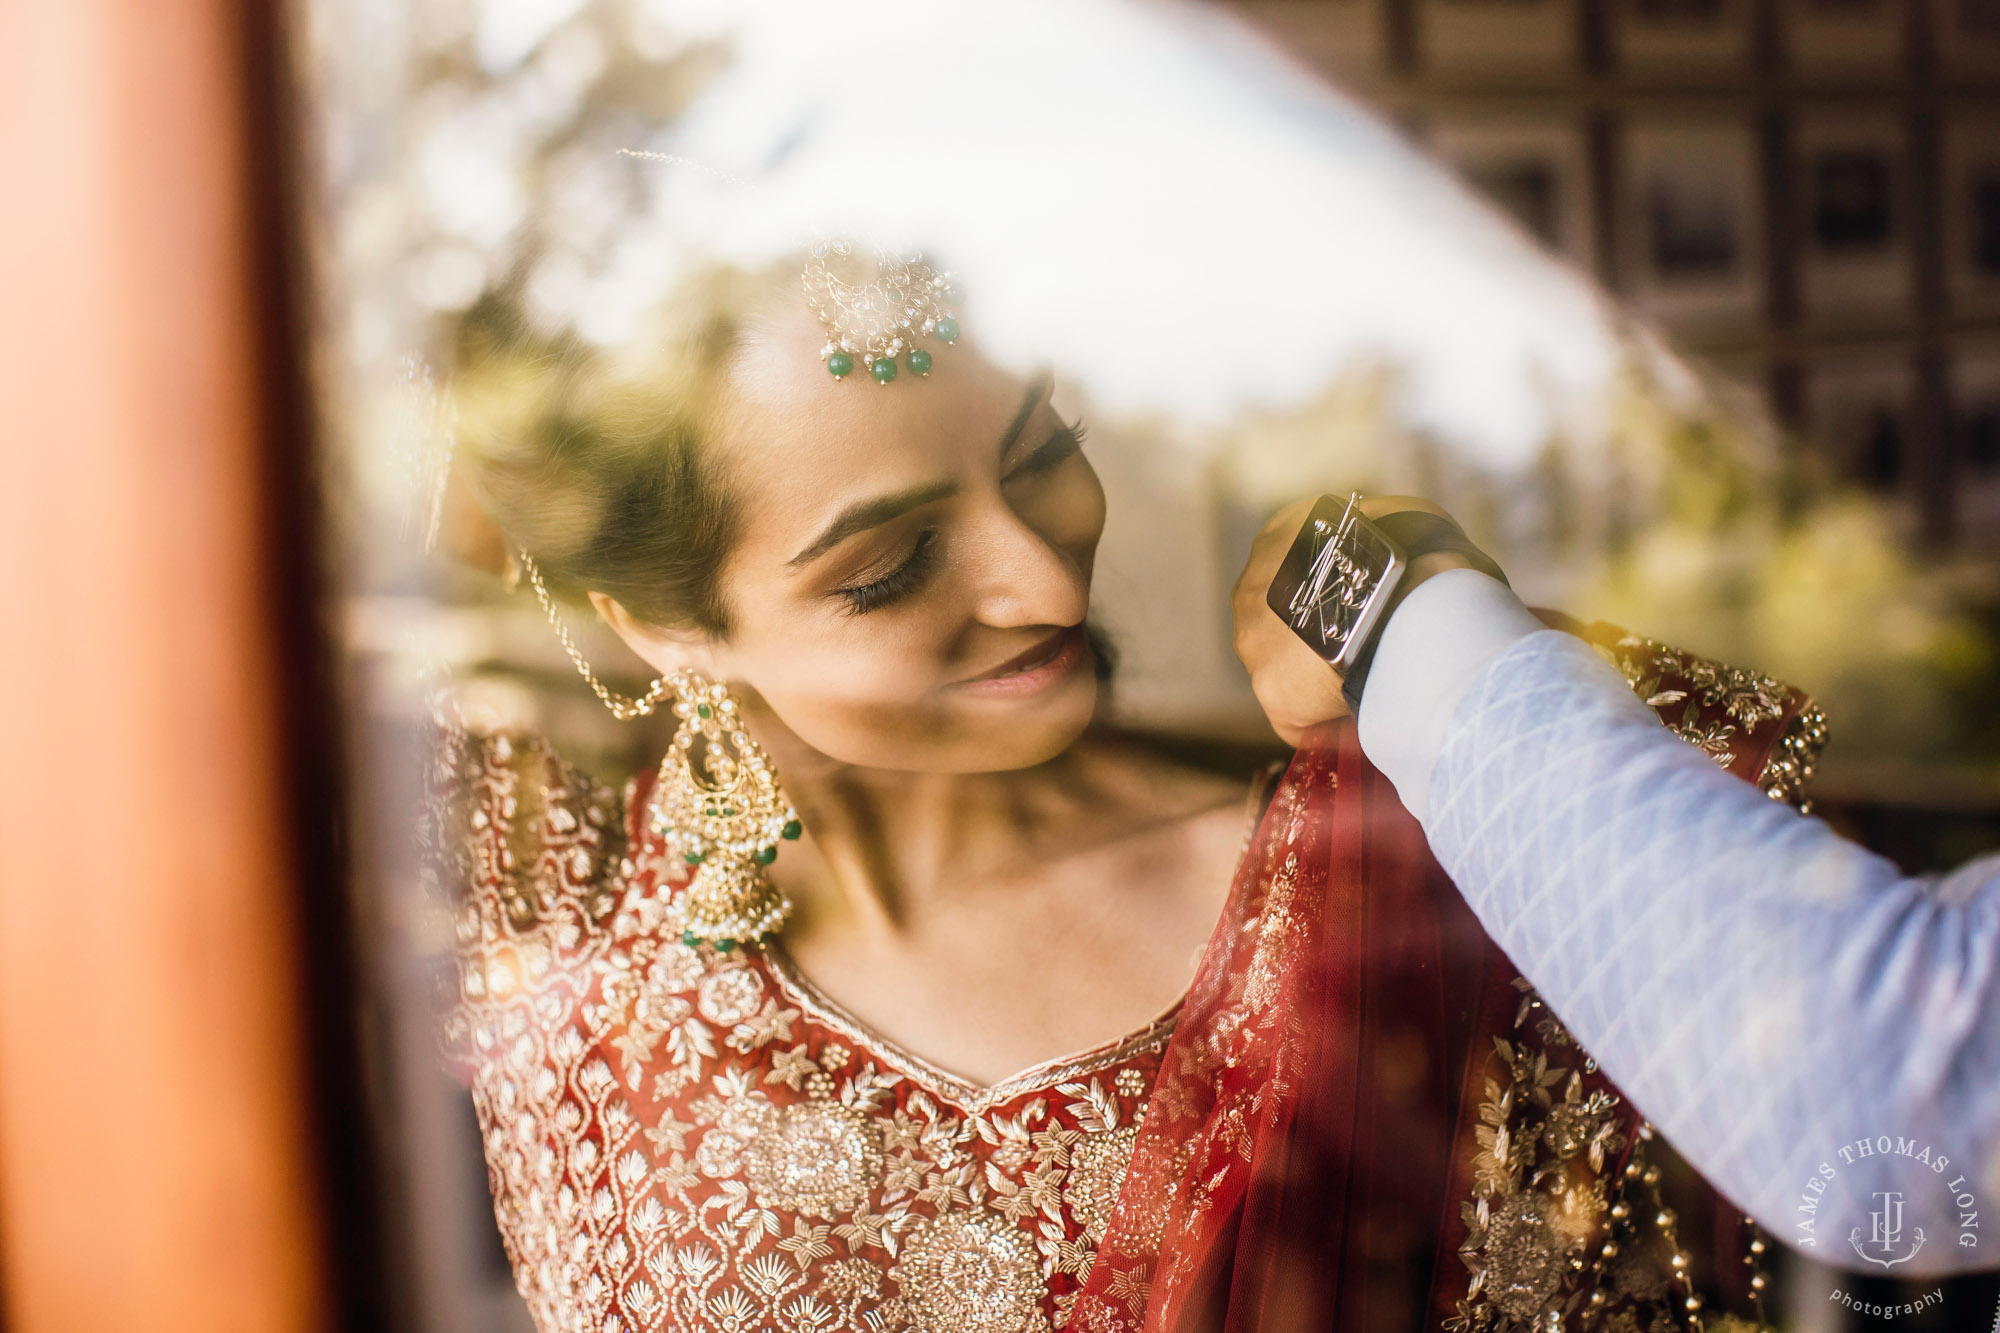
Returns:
(1807, 193)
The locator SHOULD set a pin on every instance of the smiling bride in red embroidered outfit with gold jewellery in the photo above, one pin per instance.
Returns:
(907, 998)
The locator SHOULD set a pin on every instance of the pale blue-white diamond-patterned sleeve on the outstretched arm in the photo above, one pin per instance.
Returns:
(1773, 998)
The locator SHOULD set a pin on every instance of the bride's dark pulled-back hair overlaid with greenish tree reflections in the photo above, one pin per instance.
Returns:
(597, 463)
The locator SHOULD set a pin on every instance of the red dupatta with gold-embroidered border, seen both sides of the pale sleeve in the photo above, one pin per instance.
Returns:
(1365, 1118)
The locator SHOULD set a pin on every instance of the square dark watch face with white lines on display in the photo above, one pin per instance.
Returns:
(1337, 579)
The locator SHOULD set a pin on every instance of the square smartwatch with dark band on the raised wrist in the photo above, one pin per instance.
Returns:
(1347, 571)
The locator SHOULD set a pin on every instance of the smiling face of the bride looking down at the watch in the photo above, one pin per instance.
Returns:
(913, 561)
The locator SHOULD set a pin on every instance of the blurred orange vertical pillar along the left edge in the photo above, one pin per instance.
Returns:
(155, 1168)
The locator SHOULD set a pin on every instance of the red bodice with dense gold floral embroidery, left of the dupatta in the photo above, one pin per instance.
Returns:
(687, 1140)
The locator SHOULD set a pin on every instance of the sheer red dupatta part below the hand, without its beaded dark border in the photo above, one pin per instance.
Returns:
(1317, 1008)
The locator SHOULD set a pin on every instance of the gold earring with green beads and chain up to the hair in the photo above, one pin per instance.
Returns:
(717, 802)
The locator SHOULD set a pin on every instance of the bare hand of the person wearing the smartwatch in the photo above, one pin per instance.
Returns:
(1293, 686)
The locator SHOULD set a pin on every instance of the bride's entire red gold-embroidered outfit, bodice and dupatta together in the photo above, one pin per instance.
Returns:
(1359, 1118)
